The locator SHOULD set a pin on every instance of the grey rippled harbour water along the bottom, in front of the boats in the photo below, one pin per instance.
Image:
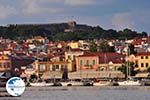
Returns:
(84, 93)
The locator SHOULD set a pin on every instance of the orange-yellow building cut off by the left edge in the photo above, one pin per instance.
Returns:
(5, 63)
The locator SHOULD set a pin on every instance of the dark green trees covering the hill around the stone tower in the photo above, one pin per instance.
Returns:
(56, 32)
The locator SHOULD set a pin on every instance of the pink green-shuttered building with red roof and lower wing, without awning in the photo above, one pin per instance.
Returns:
(96, 61)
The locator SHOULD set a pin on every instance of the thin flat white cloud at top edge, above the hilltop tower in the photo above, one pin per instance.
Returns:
(80, 2)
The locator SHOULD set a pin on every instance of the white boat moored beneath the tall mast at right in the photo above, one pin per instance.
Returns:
(129, 83)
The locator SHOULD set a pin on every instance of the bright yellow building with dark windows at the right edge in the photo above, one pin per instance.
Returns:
(142, 61)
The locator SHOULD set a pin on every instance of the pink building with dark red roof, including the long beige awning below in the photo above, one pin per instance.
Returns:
(100, 65)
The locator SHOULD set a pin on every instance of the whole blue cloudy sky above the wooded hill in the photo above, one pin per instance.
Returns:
(109, 14)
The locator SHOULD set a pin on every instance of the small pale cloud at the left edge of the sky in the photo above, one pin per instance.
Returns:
(6, 11)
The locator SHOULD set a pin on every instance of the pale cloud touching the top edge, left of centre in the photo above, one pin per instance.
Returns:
(37, 7)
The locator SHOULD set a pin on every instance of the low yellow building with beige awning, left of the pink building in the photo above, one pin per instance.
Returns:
(48, 69)
